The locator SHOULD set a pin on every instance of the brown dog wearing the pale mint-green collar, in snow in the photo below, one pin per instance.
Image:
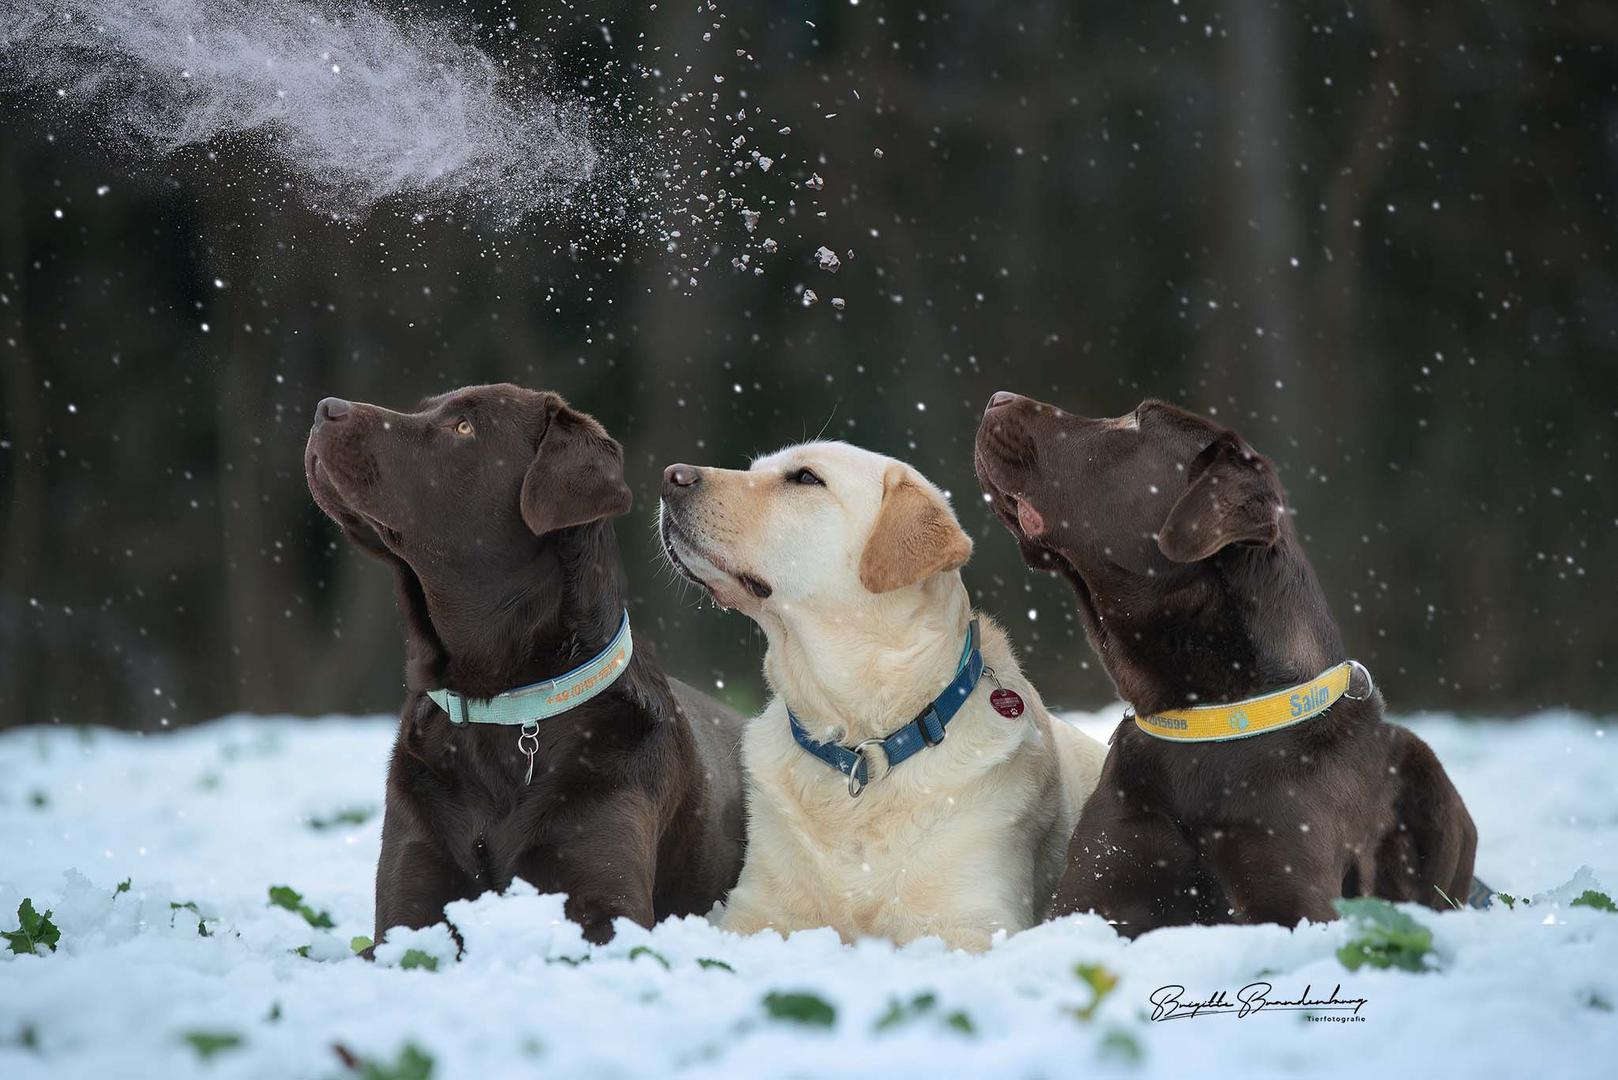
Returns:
(493, 506)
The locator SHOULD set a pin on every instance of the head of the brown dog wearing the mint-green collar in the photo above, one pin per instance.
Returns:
(462, 496)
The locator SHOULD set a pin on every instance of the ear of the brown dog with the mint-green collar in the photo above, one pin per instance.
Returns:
(577, 475)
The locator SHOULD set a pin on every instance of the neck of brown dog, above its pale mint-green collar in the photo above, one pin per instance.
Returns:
(517, 624)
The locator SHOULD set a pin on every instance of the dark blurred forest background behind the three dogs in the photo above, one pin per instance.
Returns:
(1378, 237)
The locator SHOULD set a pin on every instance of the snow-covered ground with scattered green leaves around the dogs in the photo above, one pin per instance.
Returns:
(218, 815)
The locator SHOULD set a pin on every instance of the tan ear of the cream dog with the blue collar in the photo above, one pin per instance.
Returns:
(917, 537)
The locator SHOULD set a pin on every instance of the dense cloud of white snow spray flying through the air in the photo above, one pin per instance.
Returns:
(360, 104)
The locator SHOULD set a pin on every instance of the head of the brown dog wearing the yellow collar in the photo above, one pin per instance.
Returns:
(1137, 511)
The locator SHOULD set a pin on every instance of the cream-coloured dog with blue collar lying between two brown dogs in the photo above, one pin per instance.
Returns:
(850, 563)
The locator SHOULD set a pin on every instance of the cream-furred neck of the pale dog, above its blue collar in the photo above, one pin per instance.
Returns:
(863, 678)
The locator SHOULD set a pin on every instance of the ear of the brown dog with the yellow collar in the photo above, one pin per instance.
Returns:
(1234, 498)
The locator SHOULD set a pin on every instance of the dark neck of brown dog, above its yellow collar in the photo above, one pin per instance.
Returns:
(1252, 621)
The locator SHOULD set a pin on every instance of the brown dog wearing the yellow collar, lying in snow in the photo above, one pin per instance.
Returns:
(1195, 592)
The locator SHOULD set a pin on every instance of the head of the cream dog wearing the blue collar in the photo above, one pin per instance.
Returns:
(818, 527)
